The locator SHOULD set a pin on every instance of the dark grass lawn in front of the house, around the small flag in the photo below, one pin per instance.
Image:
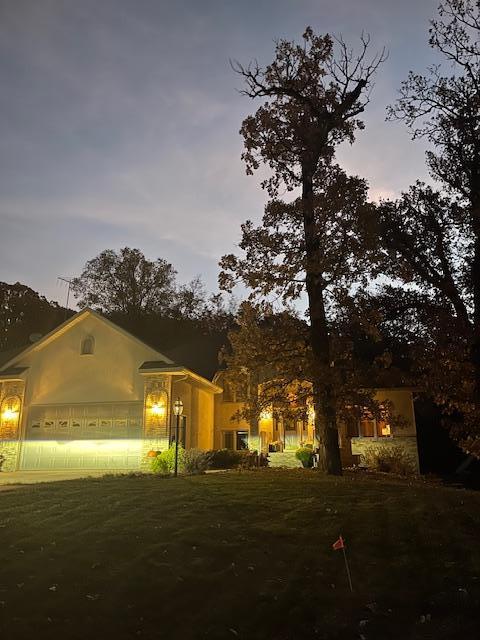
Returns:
(238, 555)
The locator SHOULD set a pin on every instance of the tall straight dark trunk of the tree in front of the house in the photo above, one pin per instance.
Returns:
(324, 400)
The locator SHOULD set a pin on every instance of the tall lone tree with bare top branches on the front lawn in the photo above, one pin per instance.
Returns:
(313, 95)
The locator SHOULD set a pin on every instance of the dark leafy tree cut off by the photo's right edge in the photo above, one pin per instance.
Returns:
(431, 239)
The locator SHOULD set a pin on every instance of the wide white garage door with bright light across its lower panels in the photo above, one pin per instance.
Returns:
(93, 436)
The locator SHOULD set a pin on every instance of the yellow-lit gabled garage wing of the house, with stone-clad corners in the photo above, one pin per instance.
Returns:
(91, 396)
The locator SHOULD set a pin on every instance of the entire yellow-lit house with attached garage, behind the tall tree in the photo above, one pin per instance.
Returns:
(89, 395)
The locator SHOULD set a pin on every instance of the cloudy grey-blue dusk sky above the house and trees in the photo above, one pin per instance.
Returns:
(119, 123)
